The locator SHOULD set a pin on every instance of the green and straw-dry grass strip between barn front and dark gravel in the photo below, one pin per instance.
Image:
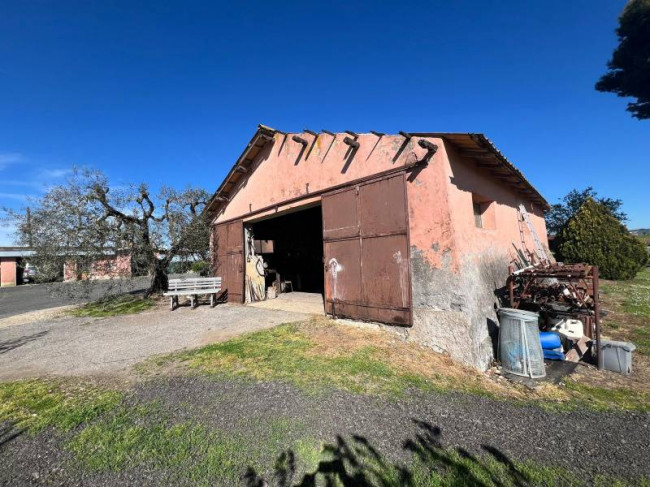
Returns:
(320, 354)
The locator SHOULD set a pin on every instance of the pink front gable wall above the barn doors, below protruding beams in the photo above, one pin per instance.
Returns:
(279, 176)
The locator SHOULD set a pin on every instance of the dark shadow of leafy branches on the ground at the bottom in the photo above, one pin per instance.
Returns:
(355, 462)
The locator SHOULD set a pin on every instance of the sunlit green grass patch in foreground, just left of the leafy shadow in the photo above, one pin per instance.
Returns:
(187, 452)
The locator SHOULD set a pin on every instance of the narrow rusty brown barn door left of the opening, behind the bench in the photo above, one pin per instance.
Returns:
(228, 258)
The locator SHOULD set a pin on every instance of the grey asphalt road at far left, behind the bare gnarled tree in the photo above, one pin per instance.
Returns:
(36, 297)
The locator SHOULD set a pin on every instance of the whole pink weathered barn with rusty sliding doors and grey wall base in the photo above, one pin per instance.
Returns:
(414, 230)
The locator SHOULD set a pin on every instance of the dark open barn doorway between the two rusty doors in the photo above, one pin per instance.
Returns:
(285, 255)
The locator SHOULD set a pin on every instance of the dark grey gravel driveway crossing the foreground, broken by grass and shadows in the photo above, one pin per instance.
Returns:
(584, 442)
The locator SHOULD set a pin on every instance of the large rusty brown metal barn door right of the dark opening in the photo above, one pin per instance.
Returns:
(365, 238)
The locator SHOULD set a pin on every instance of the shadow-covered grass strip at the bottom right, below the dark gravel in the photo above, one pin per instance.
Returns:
(355, 461)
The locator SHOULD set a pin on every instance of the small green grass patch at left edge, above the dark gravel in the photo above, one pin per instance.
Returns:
(37, 404)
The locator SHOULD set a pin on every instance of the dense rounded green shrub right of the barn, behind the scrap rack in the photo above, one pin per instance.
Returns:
(594, 236)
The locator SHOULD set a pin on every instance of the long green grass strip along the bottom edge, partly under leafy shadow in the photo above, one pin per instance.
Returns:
(110, 432)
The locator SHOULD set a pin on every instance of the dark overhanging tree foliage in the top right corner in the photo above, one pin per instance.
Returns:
(628, 73)
